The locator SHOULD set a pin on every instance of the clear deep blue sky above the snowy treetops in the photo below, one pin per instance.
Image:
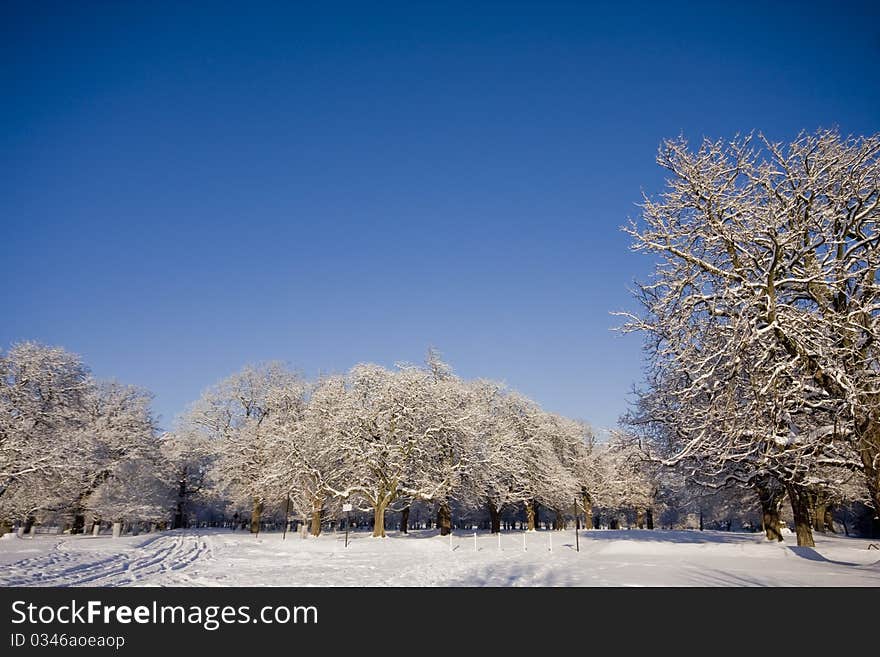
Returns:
(185, 188)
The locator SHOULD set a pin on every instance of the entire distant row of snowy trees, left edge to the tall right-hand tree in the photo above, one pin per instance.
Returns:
(82, 450)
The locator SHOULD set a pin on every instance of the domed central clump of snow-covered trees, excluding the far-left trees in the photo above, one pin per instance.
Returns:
(384, 440)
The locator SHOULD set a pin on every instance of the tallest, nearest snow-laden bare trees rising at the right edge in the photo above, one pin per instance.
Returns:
(762, 321)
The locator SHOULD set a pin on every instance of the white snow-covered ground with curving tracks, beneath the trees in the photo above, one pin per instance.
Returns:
(423, 558)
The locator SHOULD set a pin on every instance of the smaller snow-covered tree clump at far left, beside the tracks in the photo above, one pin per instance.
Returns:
(64, 435)
